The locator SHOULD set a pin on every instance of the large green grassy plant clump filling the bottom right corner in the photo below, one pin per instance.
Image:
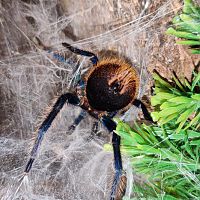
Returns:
(168, 162)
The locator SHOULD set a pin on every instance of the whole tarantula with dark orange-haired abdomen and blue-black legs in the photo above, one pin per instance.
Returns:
(111, 85)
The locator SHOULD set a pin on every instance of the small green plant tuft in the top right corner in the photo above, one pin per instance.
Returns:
(187, 26)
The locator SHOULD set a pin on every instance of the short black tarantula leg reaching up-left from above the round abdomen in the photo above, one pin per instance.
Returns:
(93, 57)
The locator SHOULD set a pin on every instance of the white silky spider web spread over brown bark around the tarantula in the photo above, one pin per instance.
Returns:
(69, 166)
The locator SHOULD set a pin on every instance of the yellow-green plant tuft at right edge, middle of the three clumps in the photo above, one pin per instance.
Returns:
(178, 101)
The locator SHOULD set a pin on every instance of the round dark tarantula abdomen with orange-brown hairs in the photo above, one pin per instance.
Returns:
(111, 86)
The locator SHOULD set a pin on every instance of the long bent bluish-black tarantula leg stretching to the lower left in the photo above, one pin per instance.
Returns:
(72, 99)
